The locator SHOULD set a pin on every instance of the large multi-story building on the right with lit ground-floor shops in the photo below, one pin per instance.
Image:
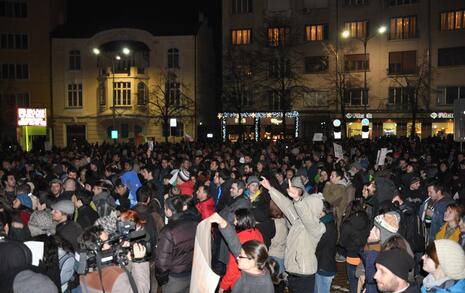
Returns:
(386, 60)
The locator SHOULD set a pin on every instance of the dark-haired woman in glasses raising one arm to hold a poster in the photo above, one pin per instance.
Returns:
(258, 270)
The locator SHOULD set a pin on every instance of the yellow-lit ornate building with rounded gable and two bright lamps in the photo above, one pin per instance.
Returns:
(147, 82)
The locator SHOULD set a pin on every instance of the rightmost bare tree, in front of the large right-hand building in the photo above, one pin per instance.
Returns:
(416, 88)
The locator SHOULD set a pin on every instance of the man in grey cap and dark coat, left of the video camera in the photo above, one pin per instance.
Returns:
(62, 211)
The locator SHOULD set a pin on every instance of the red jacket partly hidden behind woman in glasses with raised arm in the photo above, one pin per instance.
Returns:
(232, 271)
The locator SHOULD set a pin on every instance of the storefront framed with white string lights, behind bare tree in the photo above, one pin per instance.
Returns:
(258, 125)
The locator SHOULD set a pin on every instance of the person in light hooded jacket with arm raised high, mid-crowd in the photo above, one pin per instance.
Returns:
(303, 212)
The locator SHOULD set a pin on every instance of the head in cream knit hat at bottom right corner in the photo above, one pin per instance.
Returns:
(445, 258)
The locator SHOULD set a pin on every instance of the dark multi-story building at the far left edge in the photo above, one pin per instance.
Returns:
(25, 79)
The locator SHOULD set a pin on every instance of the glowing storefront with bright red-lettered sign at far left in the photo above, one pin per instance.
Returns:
(32, 127)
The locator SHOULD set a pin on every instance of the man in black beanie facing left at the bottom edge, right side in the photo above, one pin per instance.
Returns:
(392, 268)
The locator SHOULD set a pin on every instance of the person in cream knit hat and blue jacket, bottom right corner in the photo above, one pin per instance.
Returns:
(444, 260)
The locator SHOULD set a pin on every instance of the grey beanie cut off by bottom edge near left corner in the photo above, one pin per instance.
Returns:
(28, 281)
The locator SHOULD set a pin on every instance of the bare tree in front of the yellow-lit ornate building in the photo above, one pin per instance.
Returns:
(168, 98)
